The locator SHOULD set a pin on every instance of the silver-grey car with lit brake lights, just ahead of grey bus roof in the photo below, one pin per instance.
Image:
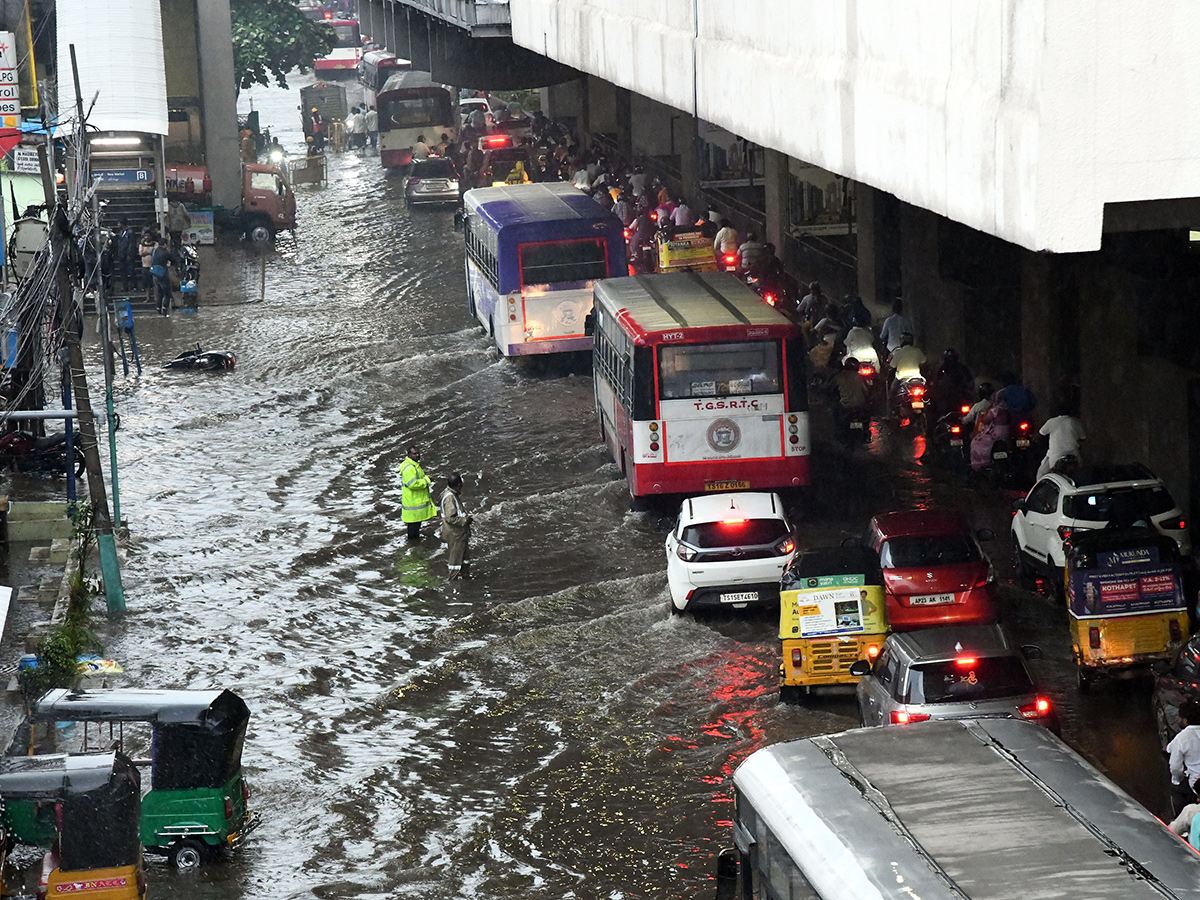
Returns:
(951, 673)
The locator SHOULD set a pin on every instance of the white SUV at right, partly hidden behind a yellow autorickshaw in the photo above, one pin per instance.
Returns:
(1060, 505)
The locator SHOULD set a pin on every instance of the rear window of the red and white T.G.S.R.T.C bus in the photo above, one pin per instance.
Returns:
(719, 370)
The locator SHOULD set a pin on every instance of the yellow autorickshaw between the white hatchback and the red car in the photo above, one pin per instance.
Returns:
(831, 615)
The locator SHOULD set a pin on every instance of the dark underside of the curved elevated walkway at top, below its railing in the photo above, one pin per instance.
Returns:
(454, 57)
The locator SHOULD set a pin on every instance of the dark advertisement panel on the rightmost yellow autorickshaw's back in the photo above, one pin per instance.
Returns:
(1125, 583)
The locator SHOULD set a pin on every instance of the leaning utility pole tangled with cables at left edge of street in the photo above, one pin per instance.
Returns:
(103, 520)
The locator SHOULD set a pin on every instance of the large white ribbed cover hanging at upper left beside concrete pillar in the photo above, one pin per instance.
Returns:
(119, 51)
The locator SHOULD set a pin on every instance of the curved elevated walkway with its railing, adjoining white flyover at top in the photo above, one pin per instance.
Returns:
(461, 43)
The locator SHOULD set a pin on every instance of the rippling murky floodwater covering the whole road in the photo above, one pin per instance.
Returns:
(545, 730)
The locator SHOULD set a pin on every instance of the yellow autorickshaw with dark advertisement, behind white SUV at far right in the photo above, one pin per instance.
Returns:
(1125, 593)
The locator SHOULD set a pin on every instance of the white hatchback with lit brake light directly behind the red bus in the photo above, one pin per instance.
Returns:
(729, 550)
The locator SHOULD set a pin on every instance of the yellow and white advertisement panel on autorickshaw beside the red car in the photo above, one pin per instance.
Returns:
(831, 605)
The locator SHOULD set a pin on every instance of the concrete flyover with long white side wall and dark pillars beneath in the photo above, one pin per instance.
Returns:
(1023, 172)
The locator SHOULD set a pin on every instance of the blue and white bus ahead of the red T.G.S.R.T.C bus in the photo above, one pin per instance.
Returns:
(533, 254)
